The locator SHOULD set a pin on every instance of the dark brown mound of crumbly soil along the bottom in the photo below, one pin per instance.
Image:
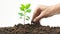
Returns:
(30, 29)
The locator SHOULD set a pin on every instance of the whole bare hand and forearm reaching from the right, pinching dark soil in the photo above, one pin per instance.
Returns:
(44, 12)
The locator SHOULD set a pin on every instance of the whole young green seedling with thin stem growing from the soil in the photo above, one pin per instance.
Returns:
(24, 10)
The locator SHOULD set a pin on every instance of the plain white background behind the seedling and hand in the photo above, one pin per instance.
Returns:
(9, 12)
